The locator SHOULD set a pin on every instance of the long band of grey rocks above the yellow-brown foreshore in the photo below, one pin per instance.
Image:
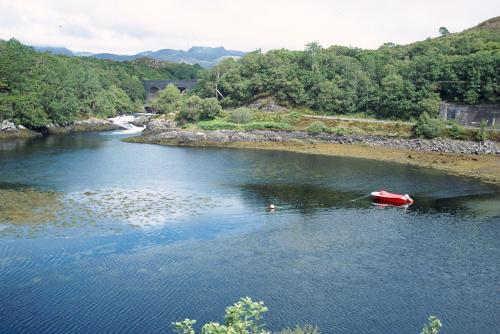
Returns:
(165, 134)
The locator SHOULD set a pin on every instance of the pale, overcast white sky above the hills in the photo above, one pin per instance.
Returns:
(128, 27)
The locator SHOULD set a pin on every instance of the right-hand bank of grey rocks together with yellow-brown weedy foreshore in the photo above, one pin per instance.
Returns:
(470, 159)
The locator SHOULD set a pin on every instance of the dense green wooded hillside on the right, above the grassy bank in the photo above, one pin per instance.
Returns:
(394, 81)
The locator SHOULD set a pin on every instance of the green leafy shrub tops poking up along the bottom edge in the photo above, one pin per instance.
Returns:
(246, 317)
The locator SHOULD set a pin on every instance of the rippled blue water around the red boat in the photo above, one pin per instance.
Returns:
(98, 235)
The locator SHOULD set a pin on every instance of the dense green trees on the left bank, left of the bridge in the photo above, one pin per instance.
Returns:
(37, 89)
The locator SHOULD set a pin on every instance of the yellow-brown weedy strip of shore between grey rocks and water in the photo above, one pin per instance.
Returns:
(483, 167)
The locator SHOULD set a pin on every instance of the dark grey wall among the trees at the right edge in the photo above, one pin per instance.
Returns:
(471, 115)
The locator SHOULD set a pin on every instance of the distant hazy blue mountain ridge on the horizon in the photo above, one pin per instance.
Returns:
(205, 56)
